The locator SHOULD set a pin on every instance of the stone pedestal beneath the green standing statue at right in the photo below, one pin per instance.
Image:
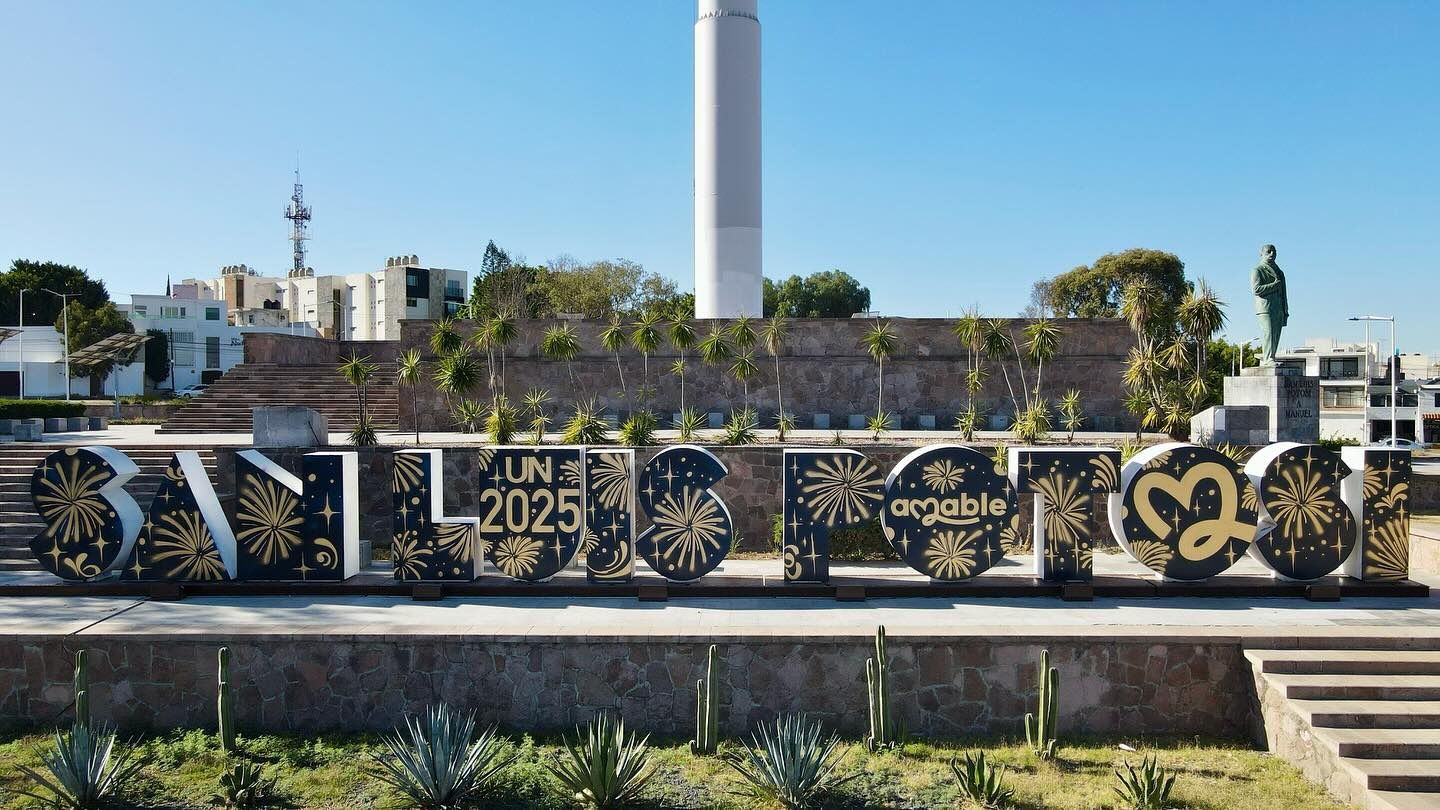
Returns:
(1292, 403)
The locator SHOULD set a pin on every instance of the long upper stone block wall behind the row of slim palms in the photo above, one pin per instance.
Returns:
(823, 365)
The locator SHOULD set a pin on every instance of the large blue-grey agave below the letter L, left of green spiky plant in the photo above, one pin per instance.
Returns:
(437, 763)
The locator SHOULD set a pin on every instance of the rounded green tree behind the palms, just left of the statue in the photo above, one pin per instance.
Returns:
(1098, 290)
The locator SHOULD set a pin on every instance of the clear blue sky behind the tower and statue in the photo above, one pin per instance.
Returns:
(945, 153)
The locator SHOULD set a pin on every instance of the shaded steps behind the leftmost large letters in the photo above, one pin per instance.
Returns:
(18, 520)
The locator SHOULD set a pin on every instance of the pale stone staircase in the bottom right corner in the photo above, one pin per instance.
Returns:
(1366, 723)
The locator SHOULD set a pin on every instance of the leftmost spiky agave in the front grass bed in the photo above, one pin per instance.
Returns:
(86, 769)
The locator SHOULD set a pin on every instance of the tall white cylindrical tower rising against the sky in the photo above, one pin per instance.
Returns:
(728, 159)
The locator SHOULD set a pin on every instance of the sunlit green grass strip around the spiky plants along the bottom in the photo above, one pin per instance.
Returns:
(330, 772)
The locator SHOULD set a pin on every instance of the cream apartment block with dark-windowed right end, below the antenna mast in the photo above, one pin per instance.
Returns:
(361, 306)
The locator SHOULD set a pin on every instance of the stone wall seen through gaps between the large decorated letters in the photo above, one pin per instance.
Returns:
(752, 491)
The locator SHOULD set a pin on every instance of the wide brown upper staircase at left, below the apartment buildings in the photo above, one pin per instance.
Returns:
(225, 407)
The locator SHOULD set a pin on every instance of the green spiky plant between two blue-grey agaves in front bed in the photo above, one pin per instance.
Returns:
(604, 767)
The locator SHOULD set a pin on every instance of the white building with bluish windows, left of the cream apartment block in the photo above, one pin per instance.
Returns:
(204, 344)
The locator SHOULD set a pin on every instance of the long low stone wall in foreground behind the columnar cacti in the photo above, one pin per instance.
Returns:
(941, 687)
